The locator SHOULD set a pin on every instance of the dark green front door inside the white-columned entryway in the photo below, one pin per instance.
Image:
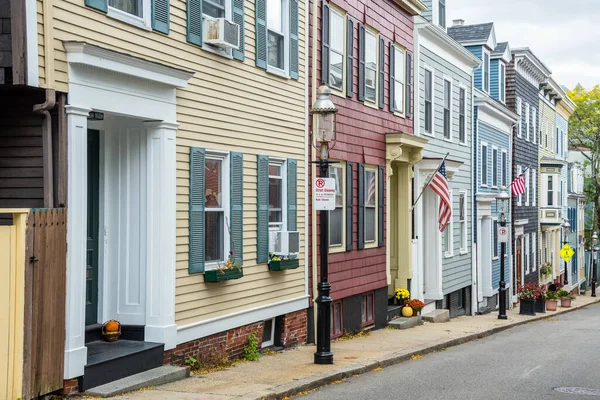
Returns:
(91, 282)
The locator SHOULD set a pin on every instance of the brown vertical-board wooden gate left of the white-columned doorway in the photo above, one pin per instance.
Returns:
(45, 288)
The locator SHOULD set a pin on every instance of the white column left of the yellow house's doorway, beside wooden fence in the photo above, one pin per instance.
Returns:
(75, 350)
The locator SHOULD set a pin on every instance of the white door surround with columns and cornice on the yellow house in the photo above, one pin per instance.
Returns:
(118, 84)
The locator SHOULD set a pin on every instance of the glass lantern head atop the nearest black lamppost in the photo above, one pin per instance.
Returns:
(324, 113)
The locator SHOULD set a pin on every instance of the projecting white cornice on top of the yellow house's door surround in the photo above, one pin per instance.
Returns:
(81, 53)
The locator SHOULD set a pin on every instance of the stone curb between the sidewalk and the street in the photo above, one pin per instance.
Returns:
(310, 383)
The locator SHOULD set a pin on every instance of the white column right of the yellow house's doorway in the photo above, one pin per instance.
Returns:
(160, 277)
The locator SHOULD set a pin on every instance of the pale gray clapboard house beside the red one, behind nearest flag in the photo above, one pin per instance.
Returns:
(444, 272)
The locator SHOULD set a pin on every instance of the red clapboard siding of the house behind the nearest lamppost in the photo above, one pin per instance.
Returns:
(361, 133)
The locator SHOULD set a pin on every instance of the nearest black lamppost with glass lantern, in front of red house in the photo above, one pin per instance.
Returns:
(323, 113)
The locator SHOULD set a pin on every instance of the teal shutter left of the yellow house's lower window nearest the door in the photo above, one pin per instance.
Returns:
(196, 245)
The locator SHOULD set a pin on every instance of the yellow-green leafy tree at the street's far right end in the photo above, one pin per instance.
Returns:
(584, 137)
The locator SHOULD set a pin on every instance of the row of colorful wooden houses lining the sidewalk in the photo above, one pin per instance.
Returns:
(155, 144)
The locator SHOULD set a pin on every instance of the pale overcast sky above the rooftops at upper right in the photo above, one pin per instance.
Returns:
(563, 34)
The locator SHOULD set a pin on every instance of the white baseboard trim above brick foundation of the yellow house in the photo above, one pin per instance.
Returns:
(196, 330)
